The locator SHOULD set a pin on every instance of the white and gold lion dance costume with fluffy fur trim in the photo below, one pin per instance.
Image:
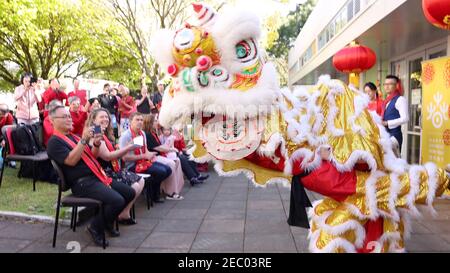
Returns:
(274, 135)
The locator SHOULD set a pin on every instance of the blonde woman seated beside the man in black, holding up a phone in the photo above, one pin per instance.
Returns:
(108, 158)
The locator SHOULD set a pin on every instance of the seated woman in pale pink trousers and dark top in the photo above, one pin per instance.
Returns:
(174, 183)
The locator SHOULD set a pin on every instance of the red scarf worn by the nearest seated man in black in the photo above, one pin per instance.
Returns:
(88, 158)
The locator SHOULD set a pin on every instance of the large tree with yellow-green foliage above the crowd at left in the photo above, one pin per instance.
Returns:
(51, 38)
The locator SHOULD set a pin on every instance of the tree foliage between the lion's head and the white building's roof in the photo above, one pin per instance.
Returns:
(288, 32)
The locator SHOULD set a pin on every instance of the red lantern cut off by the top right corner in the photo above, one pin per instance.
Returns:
(437, 12)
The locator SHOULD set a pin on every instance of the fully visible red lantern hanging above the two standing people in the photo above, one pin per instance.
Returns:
(354, 59)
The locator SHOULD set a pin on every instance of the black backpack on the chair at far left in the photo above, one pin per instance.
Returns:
(25, 139)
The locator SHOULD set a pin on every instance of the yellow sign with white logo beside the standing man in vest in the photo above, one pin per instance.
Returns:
(436, 111)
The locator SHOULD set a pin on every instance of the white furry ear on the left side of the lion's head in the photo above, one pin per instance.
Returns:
(161, 47)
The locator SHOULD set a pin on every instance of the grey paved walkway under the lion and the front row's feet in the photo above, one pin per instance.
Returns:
(222, 215)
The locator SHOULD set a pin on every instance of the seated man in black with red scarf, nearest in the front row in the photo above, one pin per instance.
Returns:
(85, 174)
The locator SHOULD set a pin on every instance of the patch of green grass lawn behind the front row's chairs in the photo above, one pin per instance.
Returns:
(16, 194)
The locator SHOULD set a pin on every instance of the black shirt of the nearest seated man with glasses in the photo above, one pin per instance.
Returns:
(58, 150)
